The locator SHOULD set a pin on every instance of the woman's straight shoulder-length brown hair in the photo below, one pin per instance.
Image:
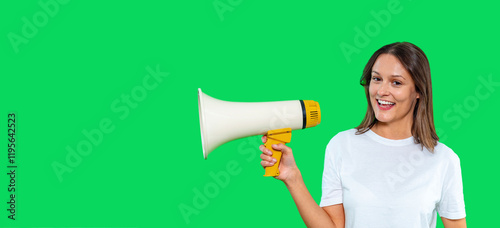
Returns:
(416, 63)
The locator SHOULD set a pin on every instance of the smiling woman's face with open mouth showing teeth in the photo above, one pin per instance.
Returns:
(392, 91)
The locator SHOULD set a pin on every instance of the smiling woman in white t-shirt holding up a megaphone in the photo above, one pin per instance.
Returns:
(390, 171)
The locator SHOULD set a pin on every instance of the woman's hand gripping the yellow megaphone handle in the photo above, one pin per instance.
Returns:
(287, 167)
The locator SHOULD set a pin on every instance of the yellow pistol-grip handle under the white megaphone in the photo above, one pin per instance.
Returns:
(277, 136)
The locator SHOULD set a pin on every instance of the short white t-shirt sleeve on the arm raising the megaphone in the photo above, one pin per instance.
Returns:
(331, 184)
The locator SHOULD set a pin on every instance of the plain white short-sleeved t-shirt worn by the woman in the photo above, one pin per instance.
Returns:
(391, 183)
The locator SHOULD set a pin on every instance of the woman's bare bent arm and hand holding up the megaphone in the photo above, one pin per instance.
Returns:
(312, 214)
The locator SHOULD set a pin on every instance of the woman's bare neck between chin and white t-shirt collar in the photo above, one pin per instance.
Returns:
(401, 130)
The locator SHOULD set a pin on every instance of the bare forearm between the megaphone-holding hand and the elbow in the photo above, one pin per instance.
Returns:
(312, 214)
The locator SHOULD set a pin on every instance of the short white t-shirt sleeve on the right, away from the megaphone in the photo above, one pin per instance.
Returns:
(451, 205)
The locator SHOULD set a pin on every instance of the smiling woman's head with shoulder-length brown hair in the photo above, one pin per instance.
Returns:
(399, 73)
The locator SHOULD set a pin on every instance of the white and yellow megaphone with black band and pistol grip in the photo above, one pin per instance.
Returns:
(224, 121)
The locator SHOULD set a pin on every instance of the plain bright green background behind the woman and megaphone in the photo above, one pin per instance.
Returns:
(65, 79)
